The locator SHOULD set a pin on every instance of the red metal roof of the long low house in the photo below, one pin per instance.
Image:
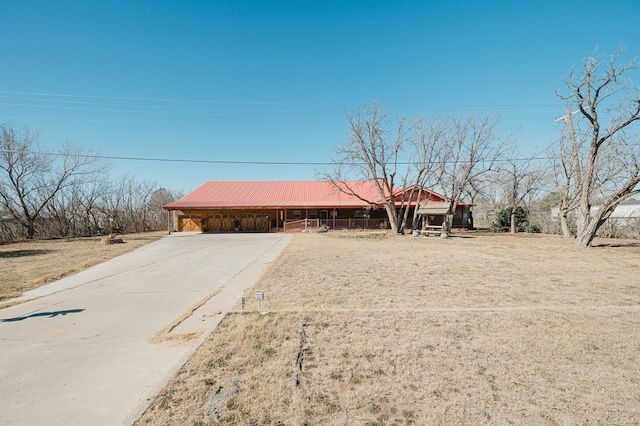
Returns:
(280, 194)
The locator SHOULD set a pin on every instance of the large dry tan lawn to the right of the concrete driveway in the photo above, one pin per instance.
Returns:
(377, 329)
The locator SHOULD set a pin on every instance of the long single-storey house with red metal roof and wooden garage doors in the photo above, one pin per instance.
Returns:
(259, 206)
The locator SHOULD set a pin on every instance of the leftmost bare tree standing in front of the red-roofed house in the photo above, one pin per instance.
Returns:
(372, 154)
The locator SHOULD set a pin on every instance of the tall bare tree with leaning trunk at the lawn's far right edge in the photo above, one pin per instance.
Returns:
(605, 168)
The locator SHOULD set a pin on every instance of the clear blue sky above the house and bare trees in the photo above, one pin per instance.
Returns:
(270, 81)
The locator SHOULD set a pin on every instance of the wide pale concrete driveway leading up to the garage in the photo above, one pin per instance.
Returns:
(80, 354)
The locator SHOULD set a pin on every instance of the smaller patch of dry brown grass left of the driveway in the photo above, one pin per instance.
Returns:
(27, 265)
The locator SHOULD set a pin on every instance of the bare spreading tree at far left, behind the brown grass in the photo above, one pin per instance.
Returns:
(32, 178)
